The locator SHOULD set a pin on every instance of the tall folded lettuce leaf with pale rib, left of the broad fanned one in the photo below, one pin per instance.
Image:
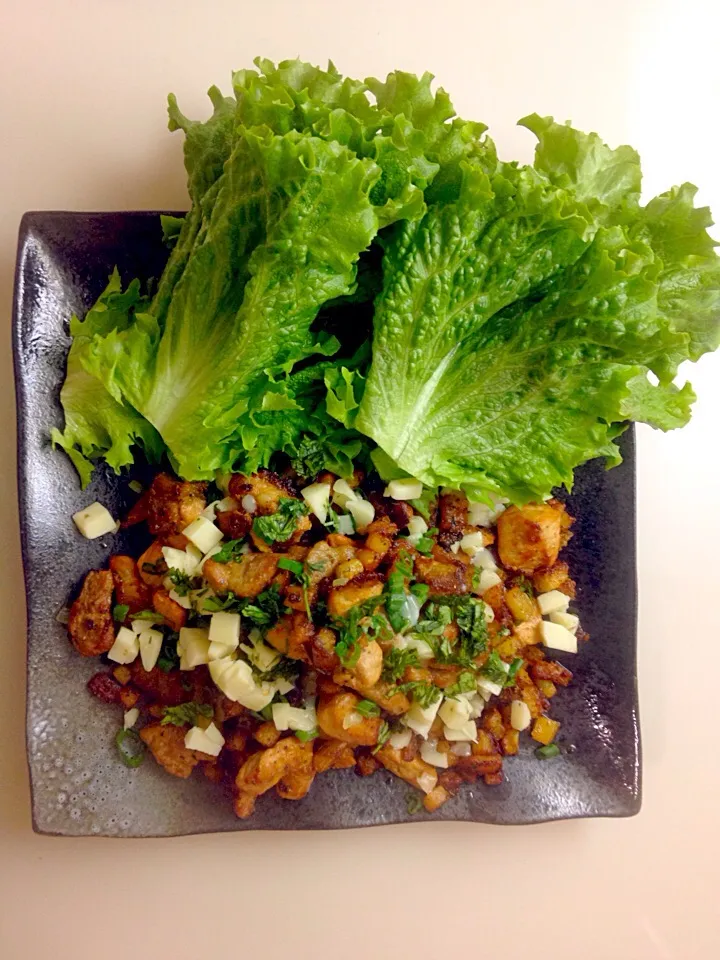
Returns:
(291, 217)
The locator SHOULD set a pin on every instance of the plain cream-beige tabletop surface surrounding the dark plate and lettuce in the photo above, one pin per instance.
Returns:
(82, 90)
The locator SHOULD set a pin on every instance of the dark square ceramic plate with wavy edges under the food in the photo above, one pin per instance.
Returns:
(79, 786)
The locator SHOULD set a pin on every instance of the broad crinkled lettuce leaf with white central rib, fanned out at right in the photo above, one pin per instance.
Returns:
(516, 328)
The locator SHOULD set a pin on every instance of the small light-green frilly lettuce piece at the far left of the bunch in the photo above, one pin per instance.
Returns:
(97, 425)
